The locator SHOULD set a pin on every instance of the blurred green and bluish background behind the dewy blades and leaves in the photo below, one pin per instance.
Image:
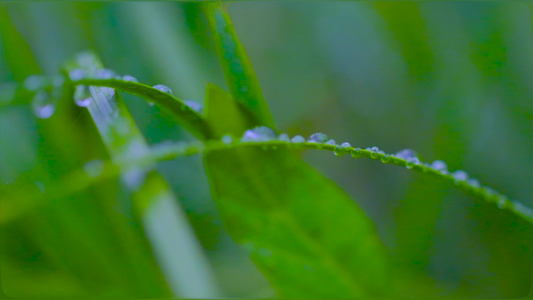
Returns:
(452, 80)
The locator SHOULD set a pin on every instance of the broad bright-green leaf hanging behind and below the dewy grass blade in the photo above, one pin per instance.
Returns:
(306, 235)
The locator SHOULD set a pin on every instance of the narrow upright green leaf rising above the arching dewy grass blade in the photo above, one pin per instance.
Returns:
(238, 71)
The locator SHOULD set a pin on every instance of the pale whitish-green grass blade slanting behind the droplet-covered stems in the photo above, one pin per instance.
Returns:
(179, 252)
